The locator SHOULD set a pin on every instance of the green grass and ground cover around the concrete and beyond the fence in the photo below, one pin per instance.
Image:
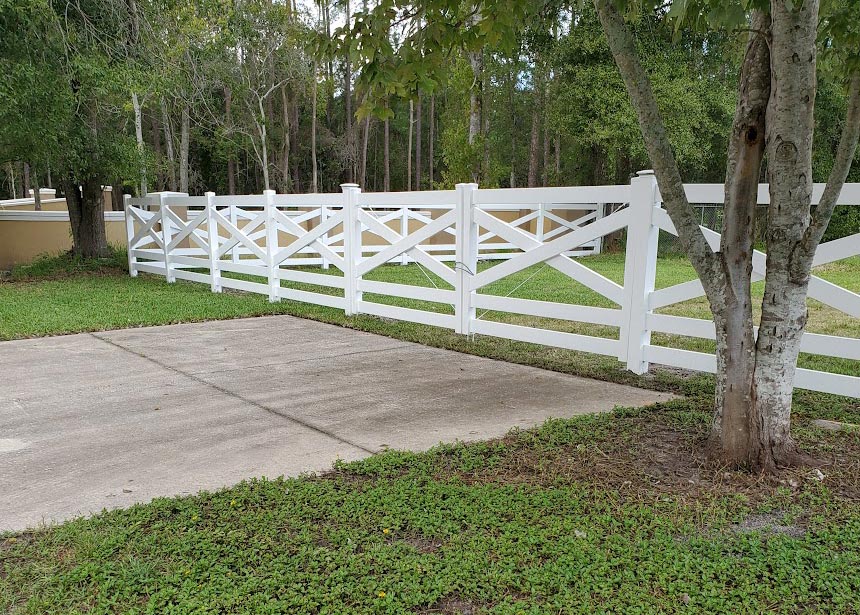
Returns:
(605, 513)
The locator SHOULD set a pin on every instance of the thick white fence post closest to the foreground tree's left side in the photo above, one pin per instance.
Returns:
(640, 269)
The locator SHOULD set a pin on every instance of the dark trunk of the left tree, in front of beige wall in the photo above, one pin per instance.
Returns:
(86, 217)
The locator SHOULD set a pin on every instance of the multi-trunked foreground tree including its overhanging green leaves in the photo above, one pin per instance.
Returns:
(773, 121)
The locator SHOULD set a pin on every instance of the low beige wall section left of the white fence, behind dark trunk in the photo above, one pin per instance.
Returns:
(21, 241)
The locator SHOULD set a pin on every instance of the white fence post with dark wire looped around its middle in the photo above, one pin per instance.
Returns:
(466, 257)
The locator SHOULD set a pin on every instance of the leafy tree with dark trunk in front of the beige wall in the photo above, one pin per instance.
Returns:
(69, 61)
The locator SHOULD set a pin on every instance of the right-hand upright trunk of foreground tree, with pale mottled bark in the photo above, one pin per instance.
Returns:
(790, 125)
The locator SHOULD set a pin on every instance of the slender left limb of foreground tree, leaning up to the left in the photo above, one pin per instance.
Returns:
(638, 85)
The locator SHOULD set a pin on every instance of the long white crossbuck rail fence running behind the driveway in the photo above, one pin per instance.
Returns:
(447, 233)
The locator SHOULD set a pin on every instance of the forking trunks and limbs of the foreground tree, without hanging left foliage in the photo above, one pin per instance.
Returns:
(774, 118)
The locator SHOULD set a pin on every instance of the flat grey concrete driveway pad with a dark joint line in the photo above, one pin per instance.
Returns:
(105, 420)
